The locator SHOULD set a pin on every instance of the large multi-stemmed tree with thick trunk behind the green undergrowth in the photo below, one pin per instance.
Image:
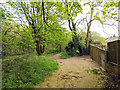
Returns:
(40, 20)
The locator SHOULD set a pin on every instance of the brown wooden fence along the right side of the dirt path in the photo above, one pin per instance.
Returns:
(109, 59)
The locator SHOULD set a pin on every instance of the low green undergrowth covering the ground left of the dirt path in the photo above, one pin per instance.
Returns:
(25, 71)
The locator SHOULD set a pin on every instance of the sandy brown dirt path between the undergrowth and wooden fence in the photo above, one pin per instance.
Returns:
(74, 72)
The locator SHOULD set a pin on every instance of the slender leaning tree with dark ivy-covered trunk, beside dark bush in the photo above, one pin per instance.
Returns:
(76, 9)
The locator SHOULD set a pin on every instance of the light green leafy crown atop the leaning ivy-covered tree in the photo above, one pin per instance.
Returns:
(73, 9)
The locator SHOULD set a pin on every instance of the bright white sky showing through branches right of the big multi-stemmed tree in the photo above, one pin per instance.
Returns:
(106, 32)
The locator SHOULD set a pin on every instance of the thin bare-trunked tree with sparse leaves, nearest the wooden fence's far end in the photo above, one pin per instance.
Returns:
(108, 7)
